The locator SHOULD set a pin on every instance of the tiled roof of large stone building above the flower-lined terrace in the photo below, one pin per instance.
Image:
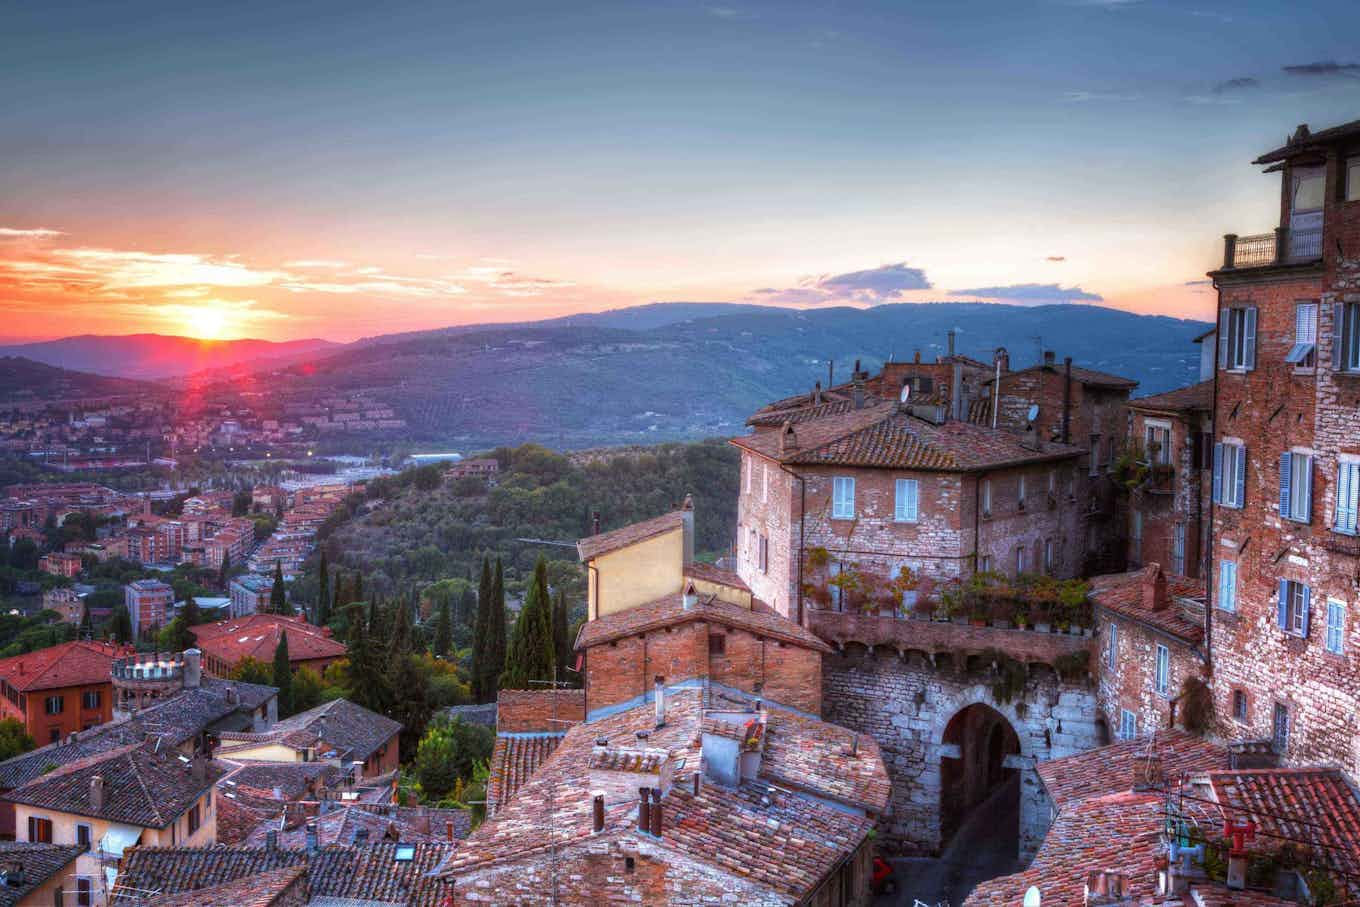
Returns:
(883, 437)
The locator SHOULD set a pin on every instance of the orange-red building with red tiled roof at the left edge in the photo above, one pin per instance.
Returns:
(59, 690)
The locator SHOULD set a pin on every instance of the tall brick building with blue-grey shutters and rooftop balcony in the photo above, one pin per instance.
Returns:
(1283, 569)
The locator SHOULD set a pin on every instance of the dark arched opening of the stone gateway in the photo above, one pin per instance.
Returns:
(976, 769)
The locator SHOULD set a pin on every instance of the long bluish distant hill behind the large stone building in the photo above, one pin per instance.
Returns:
(585, 381)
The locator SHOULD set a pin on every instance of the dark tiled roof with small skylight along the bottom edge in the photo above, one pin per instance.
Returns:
(367, 874)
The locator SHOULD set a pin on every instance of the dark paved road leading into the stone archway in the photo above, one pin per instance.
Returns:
(976, 855)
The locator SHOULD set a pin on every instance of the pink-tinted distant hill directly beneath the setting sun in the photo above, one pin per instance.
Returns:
(150, 356)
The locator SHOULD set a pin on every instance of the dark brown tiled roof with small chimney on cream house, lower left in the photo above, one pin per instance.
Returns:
(142, 788)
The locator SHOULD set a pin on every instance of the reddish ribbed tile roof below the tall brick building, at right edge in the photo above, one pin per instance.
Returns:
(1313, 806)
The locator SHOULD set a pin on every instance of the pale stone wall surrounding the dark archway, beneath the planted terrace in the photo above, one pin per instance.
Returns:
(906, 705)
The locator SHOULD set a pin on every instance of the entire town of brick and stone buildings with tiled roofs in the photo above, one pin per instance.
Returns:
(1070, 643)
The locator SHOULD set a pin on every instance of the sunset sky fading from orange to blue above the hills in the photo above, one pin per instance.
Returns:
(341, 171)
